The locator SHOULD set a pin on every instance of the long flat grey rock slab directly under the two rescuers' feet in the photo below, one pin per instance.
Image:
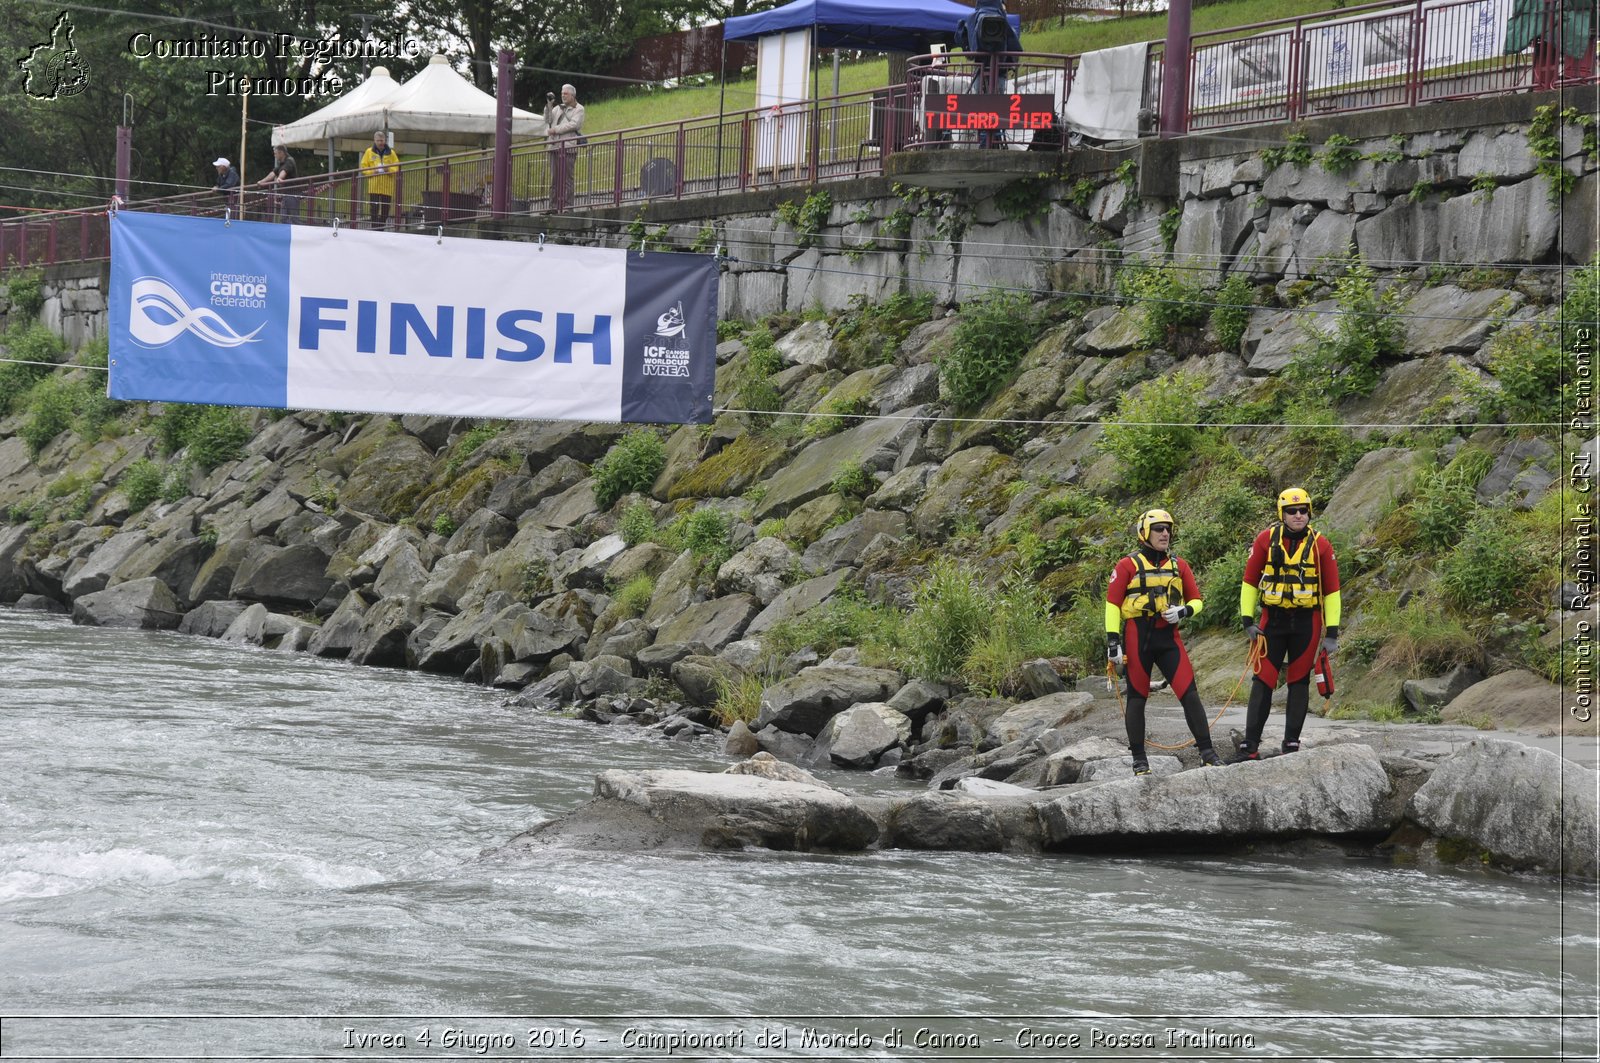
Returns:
(1334, 790)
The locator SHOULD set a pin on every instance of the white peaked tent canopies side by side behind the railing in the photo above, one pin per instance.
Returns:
(438, 108)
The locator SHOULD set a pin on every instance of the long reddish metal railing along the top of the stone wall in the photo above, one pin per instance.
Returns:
(1378, 55)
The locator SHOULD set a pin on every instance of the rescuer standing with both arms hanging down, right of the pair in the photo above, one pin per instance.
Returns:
(1290, 606)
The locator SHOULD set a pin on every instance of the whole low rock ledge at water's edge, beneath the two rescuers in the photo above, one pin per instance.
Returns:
(1494, 803)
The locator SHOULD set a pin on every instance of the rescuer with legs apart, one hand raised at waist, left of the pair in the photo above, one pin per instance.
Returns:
(1151, 593)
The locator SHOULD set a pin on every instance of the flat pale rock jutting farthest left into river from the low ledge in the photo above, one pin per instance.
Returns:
(642, 811)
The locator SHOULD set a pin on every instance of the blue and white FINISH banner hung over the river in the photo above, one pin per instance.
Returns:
(279, 316)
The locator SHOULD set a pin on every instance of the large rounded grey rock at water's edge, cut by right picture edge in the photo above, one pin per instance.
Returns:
(1522, 806)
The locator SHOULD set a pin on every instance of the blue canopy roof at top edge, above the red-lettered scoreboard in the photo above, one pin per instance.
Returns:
(868, 25)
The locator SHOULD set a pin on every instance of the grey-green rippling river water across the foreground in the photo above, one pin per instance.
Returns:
(223, 852)
